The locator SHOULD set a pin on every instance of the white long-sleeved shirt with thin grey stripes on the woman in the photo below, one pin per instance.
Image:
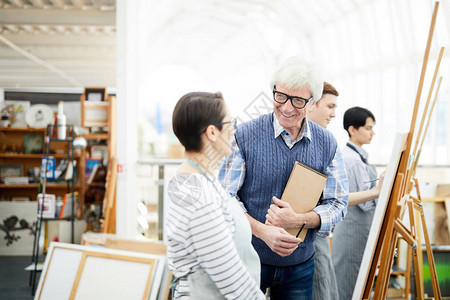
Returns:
(200, 231)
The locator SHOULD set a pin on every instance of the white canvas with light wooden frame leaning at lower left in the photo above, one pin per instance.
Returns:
(84, 272)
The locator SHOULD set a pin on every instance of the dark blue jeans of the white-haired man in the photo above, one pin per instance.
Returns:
(293, 282)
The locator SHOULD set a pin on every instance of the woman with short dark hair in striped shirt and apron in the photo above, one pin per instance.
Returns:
(209, 238)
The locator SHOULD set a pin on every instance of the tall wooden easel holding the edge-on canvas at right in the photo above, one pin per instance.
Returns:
(399, 198)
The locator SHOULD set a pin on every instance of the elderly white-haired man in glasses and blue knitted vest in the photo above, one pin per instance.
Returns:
(256, 172)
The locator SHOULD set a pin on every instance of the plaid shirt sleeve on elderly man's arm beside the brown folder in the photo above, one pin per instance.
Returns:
(333, 204)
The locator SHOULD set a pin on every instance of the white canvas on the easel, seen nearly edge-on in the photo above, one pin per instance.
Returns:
(380, 211)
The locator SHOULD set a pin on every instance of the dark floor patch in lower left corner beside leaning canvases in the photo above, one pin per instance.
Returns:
(14, 280)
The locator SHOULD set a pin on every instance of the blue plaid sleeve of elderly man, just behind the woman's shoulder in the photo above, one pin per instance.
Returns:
(232, 172)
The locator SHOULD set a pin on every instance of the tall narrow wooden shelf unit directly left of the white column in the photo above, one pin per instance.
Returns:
(98, 120)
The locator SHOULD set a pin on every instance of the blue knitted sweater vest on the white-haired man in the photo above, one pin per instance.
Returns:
(269, 163)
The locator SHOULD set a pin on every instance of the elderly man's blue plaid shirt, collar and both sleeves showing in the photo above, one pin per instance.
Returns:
(333, 204)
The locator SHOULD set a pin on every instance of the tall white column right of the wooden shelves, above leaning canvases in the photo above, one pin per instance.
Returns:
(127, 67)
